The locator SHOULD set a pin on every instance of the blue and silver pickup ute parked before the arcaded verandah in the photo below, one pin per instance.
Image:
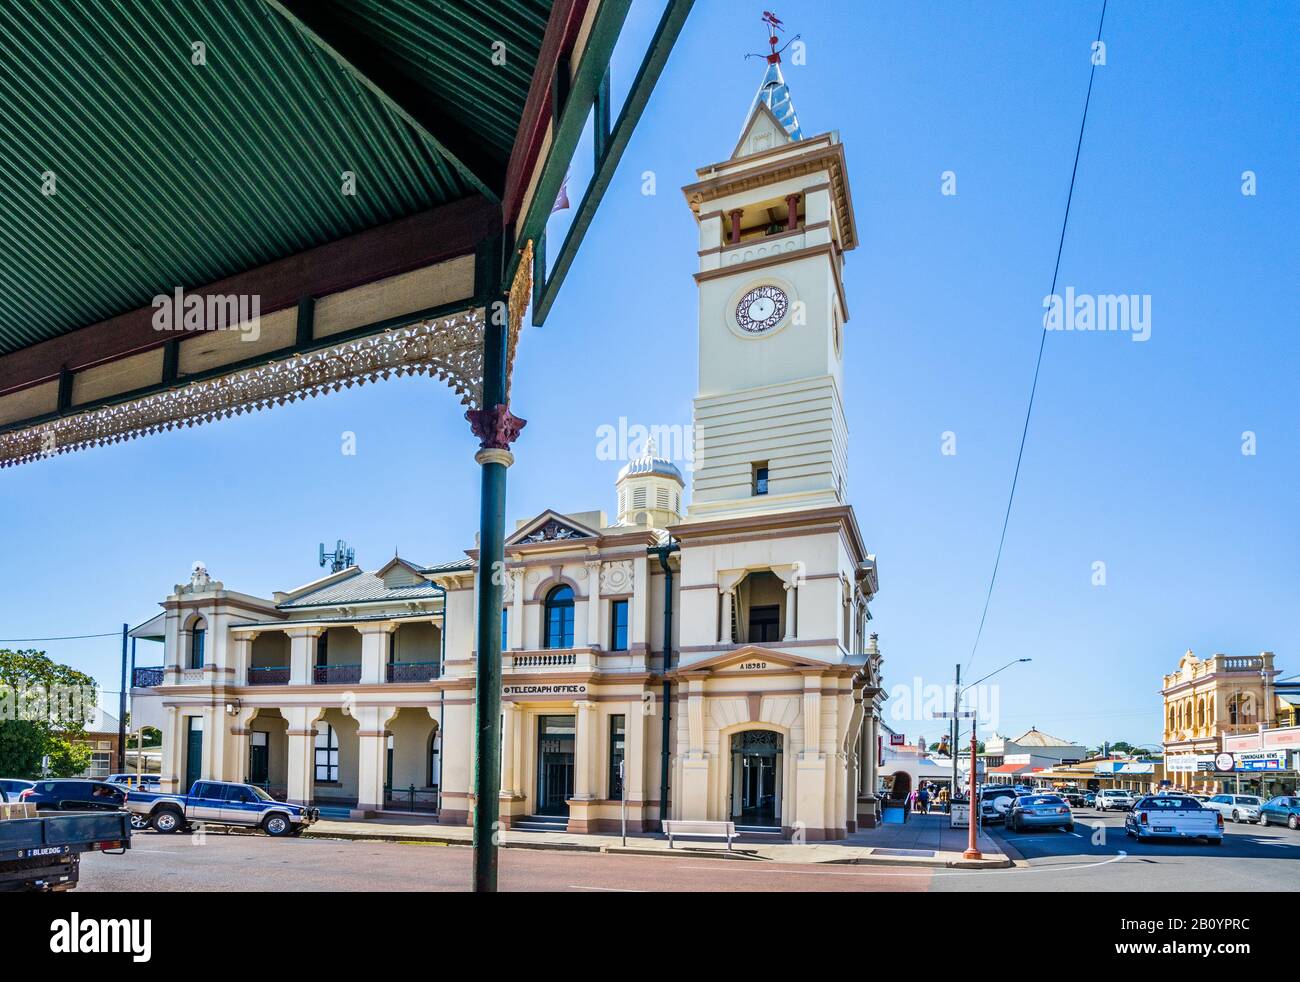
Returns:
(222, 803)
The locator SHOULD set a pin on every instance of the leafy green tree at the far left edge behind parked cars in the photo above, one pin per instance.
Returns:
(44, 711)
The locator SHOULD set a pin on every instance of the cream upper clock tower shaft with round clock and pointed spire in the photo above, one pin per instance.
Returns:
(775, 220)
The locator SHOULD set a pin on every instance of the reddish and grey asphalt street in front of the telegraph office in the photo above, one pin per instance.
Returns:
(1097, 858)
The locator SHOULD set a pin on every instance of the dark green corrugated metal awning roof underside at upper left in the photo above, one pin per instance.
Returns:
(170, 174)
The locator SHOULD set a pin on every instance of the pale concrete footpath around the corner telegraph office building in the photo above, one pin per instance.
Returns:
(924, 841)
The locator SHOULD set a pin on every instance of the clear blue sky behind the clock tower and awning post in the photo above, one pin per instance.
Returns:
(1134, 455)
